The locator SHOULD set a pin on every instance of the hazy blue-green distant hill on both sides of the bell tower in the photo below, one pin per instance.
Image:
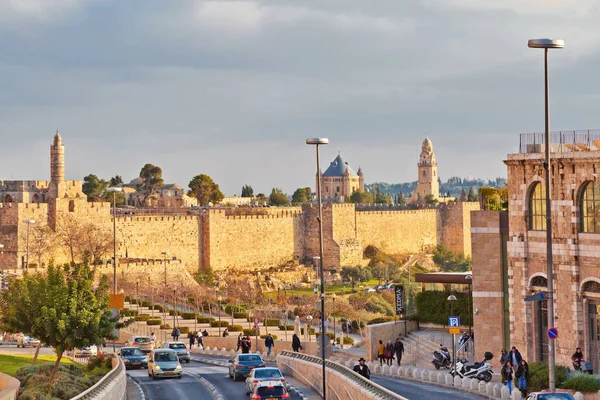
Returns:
(454, 185)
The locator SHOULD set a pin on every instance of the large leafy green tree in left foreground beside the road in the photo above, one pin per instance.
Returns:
(61, 308)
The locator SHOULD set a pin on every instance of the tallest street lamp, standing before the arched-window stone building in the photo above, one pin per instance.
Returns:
(547, 44)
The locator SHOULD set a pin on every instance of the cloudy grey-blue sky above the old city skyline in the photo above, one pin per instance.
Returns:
(232, 89)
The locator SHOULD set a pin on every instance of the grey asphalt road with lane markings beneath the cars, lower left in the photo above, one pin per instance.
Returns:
(190, 387)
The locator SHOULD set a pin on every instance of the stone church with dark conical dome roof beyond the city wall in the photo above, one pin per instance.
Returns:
(339, 179)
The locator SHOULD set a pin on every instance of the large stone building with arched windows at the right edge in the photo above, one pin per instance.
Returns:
(509, 258)
